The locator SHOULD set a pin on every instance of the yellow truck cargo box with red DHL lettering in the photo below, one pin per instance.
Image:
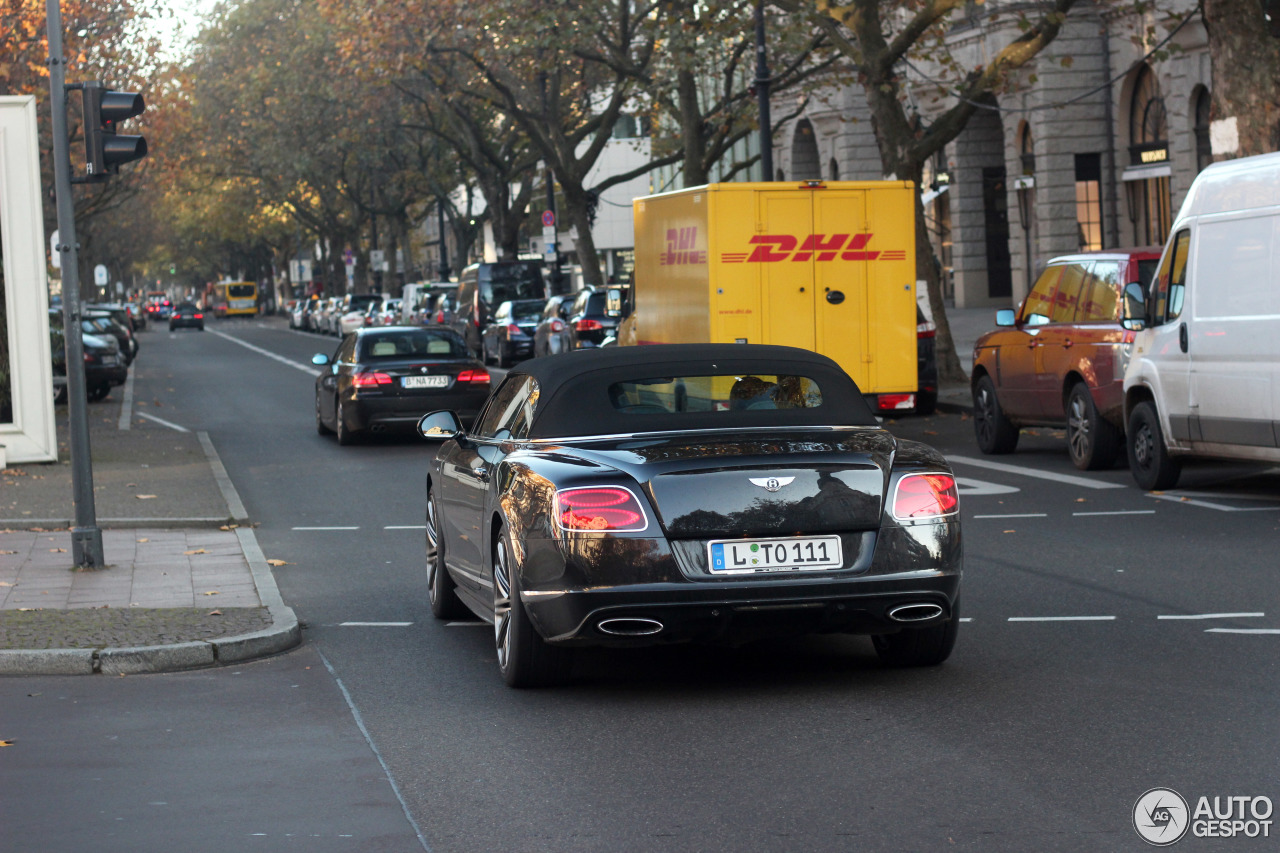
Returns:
(828, 267)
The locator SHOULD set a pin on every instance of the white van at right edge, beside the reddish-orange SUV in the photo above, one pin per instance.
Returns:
(1205, 375)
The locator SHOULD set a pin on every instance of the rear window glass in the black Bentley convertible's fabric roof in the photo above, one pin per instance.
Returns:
(710, 394)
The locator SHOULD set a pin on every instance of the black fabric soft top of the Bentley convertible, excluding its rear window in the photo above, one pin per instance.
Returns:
(574, 389)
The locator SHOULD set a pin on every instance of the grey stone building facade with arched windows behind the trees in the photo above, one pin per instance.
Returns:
(1094, 147)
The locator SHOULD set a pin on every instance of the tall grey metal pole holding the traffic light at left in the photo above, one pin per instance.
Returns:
(86, 536)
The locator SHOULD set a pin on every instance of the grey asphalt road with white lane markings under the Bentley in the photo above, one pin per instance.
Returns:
(1112, 647)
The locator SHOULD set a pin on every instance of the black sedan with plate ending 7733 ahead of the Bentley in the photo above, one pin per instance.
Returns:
(387, 377)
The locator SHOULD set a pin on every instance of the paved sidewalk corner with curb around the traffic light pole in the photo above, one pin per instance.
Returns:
(186, 583)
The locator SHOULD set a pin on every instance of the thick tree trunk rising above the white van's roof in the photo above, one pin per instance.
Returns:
(1245, 60)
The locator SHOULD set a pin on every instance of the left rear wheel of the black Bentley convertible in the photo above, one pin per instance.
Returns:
(524, 659)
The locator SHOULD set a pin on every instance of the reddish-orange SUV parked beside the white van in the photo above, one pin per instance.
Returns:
(1059, 361)
